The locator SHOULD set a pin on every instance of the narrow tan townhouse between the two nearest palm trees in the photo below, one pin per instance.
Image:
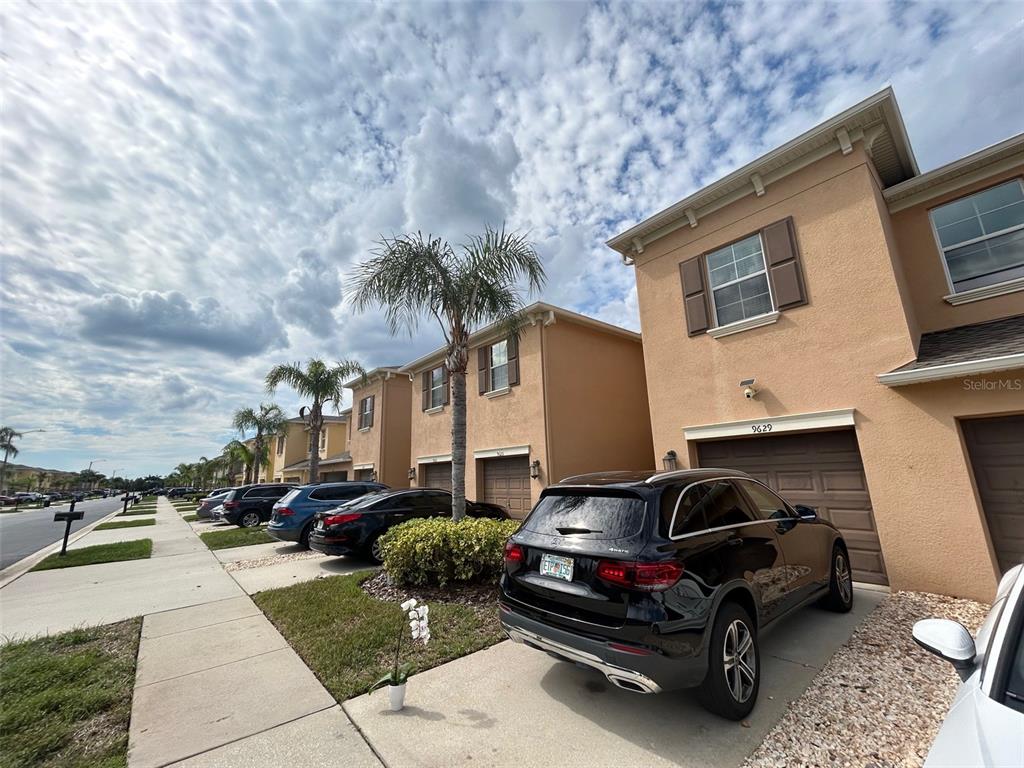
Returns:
(378, 430)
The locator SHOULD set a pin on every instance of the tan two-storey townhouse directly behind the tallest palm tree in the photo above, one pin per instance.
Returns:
(568, 397)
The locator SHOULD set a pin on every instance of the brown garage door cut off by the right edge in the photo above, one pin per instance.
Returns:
(997, 450)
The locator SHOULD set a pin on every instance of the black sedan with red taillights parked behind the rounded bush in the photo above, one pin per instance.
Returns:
(356, 528)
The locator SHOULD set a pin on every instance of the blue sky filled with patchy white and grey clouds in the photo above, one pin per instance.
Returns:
(186, 187)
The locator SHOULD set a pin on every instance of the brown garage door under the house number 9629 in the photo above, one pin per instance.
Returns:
(820, 470)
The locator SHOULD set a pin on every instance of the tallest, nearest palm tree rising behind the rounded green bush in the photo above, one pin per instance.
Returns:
(413, 277)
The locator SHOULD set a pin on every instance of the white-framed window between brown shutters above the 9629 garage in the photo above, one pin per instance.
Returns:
(740, 282)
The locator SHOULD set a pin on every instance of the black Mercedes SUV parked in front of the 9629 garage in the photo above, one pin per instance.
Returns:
(664, 581)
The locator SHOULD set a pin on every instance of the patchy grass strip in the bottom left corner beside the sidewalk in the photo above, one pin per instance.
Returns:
(67, 699)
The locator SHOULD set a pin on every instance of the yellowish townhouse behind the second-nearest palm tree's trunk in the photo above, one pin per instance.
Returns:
(290, 452)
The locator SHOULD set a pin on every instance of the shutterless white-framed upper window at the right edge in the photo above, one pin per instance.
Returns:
(982, 237)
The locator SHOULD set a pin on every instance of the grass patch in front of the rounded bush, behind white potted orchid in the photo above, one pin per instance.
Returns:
(348, 638)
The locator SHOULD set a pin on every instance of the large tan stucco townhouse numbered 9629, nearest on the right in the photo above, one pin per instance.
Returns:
(851, 331)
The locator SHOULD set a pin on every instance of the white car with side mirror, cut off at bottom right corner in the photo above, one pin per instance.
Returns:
(986, 724)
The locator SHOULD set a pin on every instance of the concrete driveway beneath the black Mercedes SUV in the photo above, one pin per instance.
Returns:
(515, 706)
